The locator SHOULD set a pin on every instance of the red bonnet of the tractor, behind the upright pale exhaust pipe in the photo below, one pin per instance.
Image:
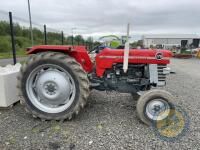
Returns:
(107, 57)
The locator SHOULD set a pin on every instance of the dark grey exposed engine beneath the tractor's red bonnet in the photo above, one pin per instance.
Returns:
(114, 79)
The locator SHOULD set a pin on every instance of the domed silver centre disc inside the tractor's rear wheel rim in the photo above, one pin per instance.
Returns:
(54, 87)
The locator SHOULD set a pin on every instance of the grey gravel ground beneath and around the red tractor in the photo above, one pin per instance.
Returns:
(108, 122)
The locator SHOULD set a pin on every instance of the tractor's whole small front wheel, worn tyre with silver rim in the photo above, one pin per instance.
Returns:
(154, 106)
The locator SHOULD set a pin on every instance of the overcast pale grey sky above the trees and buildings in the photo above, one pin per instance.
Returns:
(101, 17)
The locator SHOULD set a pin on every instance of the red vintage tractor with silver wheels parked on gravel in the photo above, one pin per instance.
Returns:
(56, 81)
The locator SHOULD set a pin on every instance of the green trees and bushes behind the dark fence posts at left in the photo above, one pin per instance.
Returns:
(22, 39)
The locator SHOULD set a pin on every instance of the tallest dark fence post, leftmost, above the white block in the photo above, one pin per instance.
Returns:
(12, 38)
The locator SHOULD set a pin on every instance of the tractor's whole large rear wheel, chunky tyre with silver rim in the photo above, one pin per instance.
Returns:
(53, 86)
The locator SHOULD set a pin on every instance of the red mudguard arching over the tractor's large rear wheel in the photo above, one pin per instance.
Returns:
(77, 52)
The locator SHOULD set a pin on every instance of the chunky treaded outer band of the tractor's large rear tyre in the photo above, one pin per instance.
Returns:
(79, 73)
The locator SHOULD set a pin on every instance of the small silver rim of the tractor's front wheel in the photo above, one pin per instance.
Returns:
(157, 109)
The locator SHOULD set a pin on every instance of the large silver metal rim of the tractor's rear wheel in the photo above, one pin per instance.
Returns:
(50, 88)
